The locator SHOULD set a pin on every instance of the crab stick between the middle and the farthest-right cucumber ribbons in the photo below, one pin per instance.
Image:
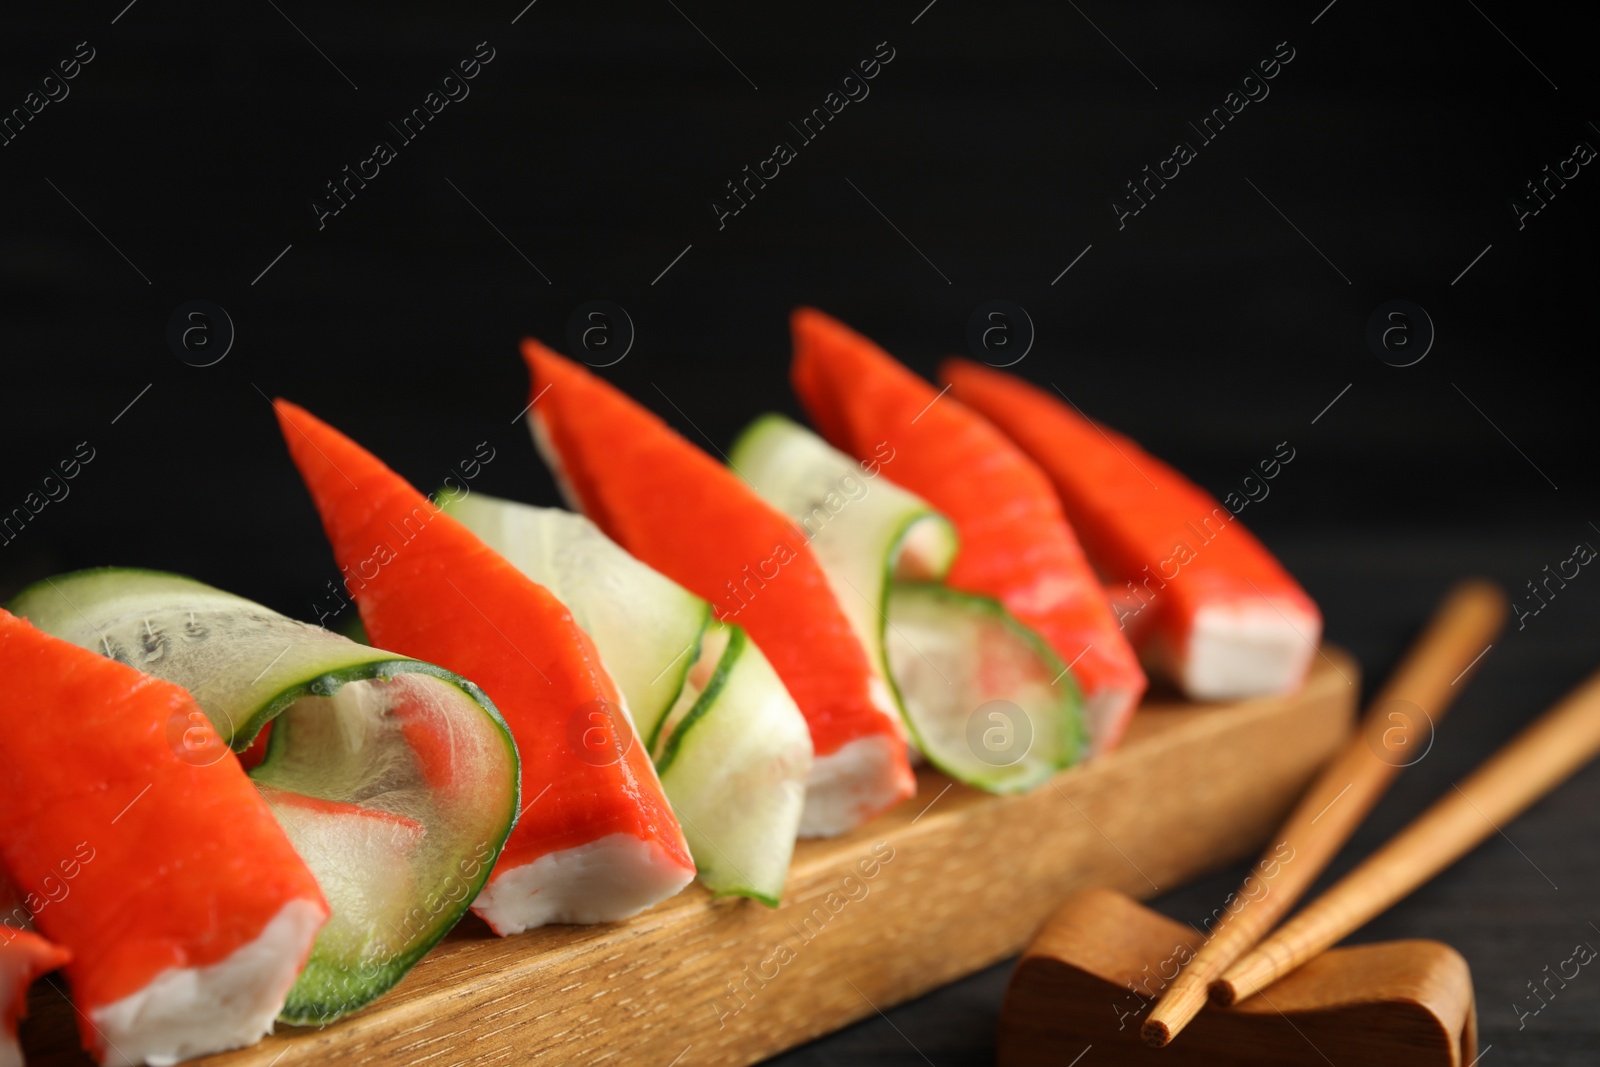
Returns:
(697, 522)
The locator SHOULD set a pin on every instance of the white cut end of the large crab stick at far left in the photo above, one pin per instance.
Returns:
(194, 1012)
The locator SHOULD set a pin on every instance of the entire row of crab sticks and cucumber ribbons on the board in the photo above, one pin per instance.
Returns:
(570, 716)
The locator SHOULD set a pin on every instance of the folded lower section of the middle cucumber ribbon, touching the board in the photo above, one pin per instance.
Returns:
(735, 756)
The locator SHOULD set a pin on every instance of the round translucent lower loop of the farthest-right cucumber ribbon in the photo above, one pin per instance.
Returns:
(988, 700)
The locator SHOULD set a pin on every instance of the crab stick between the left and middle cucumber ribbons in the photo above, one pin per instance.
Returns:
(598, 841)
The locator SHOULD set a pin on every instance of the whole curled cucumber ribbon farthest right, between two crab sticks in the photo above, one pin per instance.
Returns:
(983, 698)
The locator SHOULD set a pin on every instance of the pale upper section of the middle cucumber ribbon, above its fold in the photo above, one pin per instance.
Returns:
(646, 626)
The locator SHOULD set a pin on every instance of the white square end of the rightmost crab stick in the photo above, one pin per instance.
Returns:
(1247, 649)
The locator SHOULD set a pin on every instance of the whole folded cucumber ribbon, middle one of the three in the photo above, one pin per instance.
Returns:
(730, 745)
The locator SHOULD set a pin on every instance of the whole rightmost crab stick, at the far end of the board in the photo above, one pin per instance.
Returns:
(1204, 601)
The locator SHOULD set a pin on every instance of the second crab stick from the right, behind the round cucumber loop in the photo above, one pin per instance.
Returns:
(1015, 541)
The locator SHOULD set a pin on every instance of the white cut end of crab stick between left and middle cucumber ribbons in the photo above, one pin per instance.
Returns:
(601, 882)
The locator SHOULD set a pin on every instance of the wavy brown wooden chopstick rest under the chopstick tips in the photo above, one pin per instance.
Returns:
(1095, 965)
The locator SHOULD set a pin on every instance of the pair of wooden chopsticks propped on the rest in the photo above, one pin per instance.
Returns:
(1433, 674)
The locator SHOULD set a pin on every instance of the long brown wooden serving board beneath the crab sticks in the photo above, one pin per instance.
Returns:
(938, 889)
